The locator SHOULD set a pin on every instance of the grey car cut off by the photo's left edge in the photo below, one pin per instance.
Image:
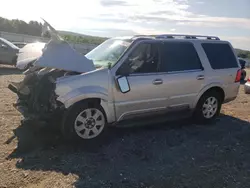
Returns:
(8, 52)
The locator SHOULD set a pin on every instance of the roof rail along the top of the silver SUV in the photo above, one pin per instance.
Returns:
(171, 36)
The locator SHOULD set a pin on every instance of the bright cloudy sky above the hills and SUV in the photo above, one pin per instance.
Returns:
(228, 19)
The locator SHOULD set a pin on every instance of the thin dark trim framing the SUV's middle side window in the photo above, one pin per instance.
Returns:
(183, 71)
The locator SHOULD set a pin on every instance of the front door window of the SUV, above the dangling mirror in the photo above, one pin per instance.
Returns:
(144, 59)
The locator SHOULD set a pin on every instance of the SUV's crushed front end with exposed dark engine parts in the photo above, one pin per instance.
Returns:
(36, 94)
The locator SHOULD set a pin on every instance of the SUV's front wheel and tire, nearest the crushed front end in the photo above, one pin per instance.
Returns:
(84, 122)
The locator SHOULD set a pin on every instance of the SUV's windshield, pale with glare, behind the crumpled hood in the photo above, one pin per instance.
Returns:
(108, 52)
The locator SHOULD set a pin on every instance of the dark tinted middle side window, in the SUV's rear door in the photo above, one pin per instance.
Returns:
(179, 56)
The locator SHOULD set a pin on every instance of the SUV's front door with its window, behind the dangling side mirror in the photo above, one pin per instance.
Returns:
(146, 84)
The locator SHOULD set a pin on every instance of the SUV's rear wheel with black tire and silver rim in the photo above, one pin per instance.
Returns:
(208, 107)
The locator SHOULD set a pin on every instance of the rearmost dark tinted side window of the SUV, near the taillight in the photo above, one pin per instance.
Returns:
(220, 56)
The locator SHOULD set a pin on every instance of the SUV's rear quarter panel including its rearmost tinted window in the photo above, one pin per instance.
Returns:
(224, 66)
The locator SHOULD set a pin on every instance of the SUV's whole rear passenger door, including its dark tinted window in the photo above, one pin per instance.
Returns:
(183, 76)
